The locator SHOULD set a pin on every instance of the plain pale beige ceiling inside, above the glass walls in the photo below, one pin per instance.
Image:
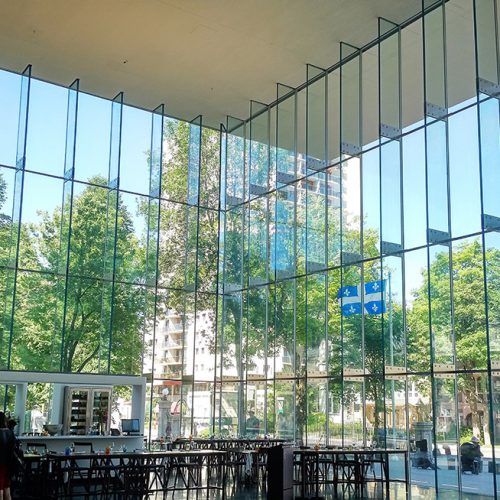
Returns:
(206, 57)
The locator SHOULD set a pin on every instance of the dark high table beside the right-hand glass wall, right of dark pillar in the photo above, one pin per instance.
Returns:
(352, 464)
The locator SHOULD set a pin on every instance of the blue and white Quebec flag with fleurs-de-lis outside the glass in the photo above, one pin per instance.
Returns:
(350, 298)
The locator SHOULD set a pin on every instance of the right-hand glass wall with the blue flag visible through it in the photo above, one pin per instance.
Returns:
(359, 251)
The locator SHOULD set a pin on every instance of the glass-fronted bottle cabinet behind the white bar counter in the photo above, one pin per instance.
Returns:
(87, 410)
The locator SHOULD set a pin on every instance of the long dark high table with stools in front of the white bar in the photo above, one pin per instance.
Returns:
(139, 473)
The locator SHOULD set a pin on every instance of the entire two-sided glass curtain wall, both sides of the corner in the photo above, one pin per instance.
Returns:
(326, 271)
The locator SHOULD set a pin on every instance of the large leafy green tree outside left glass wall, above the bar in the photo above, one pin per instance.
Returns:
(45, 339)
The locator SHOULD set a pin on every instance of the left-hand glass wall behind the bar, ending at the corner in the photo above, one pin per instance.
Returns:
(108, 246)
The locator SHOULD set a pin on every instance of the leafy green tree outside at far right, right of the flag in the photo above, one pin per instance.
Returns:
(469, 325)
